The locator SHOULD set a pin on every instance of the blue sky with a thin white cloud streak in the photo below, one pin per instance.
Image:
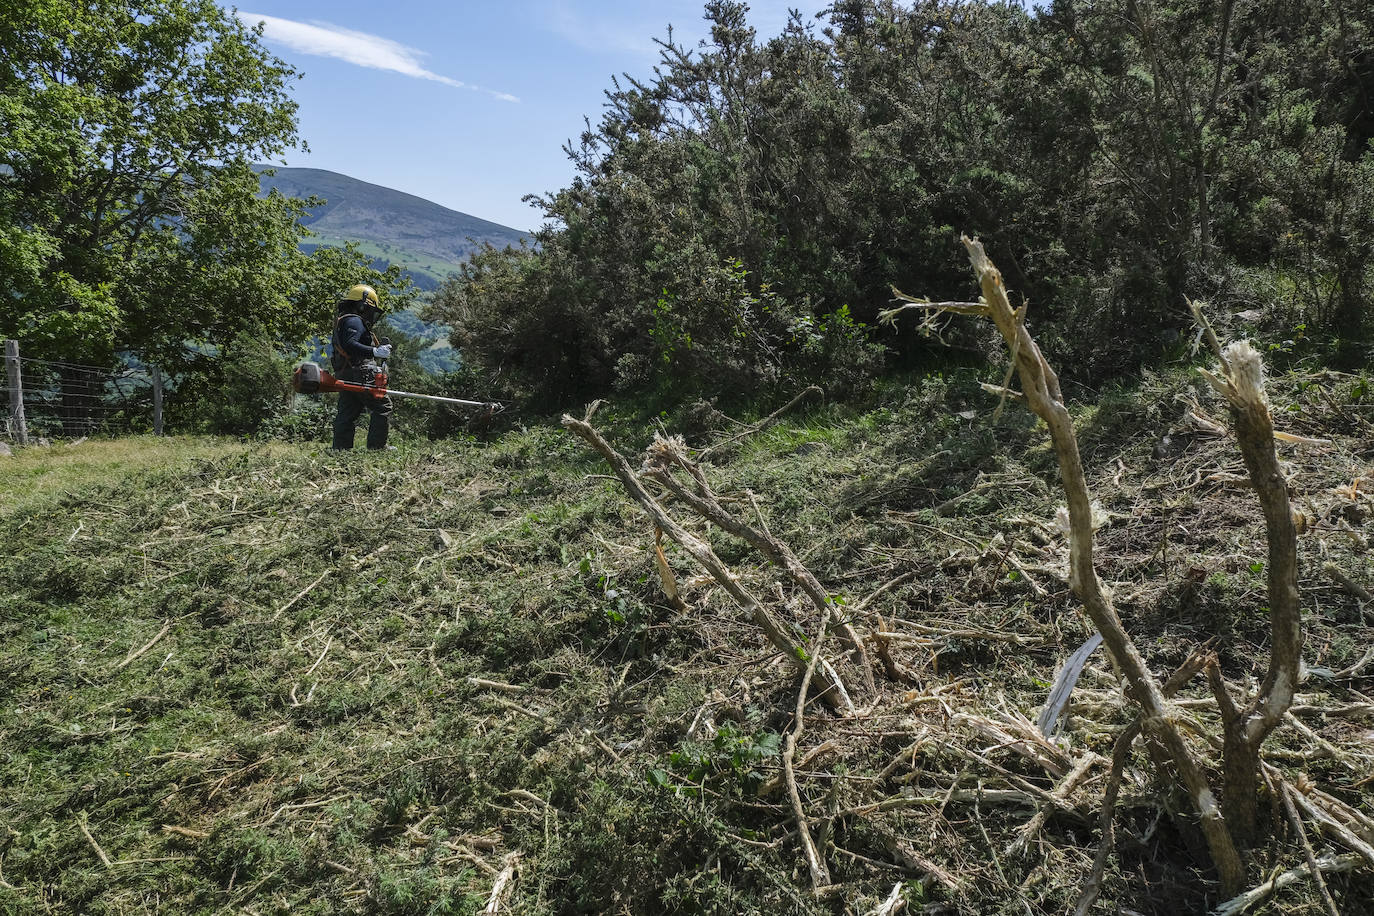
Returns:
(466, 104)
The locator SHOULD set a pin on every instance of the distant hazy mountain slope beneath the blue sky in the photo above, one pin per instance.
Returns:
(392, 227)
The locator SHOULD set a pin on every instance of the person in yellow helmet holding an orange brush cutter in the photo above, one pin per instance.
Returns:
(359, 362)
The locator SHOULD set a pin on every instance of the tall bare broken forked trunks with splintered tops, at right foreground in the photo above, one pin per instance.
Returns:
(1247, 720)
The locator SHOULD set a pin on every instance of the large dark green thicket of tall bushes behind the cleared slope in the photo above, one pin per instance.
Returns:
(1115, 157)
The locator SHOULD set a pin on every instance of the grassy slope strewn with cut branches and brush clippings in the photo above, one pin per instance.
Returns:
(270, 679)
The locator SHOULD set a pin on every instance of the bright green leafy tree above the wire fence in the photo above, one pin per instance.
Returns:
(133, 219)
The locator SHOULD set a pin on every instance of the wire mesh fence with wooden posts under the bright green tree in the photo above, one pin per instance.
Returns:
(72, 400)
